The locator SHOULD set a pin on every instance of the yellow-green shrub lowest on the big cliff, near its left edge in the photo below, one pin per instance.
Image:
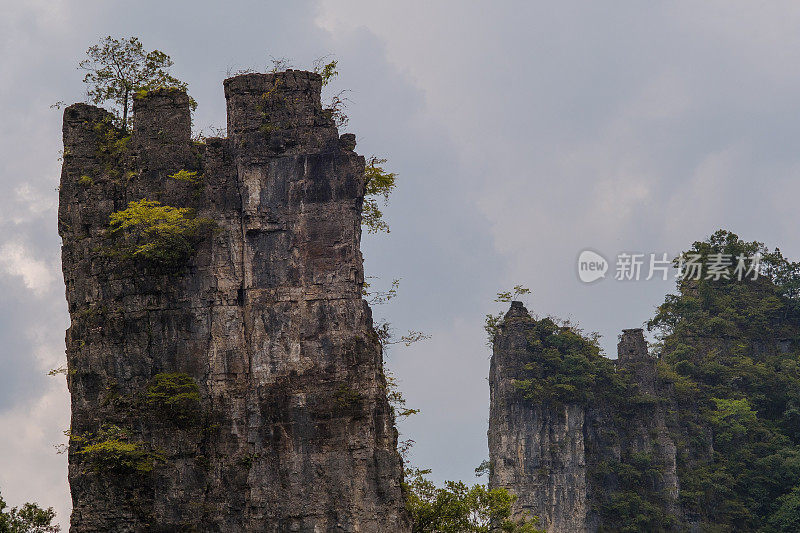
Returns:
(111, 451)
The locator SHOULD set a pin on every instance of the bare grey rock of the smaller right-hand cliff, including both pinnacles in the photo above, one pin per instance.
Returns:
(569, 463)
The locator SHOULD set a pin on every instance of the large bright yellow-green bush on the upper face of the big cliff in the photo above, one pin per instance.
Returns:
(157, 234)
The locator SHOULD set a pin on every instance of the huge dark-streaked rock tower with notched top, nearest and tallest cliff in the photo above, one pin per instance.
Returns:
(239, 387)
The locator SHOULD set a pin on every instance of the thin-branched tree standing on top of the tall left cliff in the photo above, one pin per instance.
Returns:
(118, 68)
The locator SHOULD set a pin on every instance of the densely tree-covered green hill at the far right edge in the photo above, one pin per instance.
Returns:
(734, 347)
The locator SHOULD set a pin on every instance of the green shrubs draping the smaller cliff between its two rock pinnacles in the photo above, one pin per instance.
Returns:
(560, 366)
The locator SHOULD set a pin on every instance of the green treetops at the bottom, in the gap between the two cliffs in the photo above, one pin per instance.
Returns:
(459, 508)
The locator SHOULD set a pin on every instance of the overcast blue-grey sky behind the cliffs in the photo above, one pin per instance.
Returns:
(522, 133)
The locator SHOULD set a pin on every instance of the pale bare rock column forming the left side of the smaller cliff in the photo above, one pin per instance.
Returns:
(536, 451)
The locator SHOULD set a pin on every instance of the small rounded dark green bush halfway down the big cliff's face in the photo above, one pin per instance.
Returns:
(176, 395)
